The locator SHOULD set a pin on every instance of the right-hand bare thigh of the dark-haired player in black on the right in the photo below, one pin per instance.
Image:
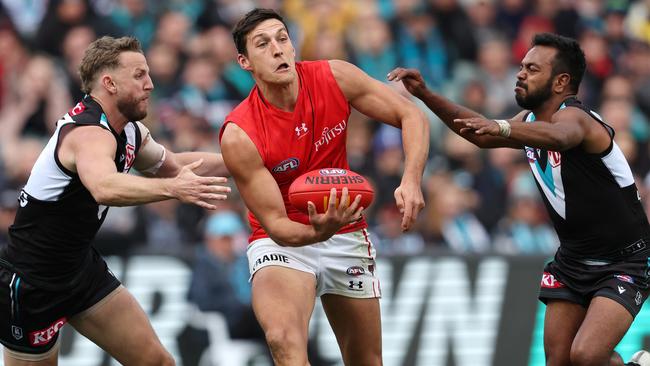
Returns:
(603, 327)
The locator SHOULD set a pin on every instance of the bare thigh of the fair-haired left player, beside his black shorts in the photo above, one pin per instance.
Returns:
(120, 326)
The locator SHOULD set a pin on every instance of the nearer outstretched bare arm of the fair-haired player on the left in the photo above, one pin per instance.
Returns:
(89, 151)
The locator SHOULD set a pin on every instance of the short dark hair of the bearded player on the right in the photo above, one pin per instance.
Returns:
(569, 57)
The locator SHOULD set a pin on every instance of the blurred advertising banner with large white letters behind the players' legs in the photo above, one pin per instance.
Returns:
(437, 310)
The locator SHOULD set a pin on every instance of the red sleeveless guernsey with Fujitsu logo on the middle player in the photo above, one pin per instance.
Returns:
(292, 143)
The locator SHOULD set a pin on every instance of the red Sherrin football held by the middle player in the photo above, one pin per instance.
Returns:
(315, 186)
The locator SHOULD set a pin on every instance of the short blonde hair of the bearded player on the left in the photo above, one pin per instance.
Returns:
(103, 54)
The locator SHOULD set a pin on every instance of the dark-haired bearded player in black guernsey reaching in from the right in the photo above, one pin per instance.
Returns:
(598, 280)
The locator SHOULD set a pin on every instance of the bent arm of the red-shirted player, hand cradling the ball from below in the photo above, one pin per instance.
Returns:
(263, 197)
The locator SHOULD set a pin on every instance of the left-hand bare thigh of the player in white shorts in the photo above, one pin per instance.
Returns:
(284, 298)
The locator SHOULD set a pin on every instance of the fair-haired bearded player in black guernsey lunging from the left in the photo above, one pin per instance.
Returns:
(50, 274)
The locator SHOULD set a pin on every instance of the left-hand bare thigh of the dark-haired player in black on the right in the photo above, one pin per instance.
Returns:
(561, 323)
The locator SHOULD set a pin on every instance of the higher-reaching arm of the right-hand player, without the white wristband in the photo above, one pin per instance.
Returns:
(445, 109)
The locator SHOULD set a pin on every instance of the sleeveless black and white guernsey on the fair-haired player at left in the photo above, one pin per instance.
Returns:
(57, 218)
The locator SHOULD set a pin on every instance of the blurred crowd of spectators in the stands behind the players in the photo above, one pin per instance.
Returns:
(478, 201)
